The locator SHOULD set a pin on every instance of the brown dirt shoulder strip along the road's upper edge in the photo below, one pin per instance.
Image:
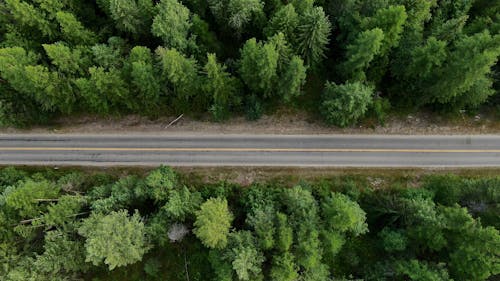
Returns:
(280, 123)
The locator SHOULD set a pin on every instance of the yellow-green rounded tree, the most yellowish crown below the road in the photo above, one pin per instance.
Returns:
(212, 224)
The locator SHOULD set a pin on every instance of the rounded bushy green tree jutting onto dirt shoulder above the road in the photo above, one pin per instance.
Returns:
(344, 104)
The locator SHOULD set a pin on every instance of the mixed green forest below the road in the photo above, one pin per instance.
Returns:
(168, 225)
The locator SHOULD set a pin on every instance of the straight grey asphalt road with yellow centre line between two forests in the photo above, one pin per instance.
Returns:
(251, 150)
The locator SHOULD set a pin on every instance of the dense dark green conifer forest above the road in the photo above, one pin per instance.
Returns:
(339, 59)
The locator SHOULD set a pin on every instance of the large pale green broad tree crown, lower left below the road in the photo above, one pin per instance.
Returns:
(116, 239)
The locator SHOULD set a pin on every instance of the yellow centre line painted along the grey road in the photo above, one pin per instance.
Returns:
(219, 149)
